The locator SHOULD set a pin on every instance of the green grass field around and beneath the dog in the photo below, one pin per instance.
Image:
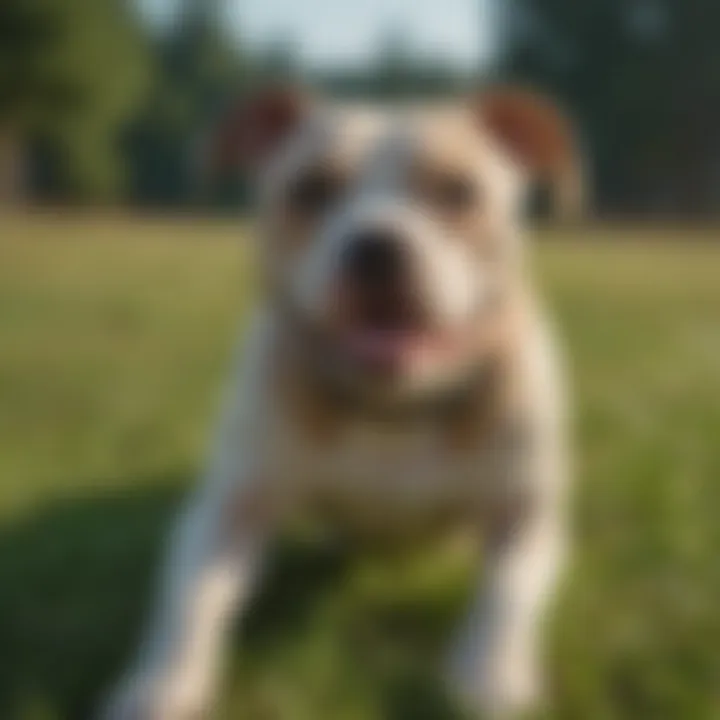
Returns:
(114, 336)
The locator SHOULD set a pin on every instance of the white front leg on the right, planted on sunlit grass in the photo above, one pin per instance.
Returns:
(495, 666)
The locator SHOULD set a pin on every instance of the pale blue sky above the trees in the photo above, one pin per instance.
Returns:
(345, 32)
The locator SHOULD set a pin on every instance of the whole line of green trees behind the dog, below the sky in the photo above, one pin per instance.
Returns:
(98, 107)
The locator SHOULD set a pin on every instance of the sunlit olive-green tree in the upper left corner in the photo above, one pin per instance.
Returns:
(71, 73)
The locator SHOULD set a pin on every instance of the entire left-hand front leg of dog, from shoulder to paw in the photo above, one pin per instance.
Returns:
(214, 556)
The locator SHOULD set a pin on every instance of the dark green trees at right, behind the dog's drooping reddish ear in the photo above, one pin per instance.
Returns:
(641, 78)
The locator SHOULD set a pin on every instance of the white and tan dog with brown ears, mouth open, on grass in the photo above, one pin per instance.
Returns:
(400, 377)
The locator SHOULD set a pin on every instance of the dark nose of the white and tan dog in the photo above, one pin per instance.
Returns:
(375, 258)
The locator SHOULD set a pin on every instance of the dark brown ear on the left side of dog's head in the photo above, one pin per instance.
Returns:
(249, 133)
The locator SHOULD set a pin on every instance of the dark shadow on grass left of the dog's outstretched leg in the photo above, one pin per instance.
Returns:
(74, 579)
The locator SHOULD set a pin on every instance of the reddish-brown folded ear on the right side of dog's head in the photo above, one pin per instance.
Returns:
(540, 138)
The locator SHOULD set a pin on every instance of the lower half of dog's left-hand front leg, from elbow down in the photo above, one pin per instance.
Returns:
(212, 567)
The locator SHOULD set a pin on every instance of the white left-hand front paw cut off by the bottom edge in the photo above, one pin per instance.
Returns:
(152, 698)
